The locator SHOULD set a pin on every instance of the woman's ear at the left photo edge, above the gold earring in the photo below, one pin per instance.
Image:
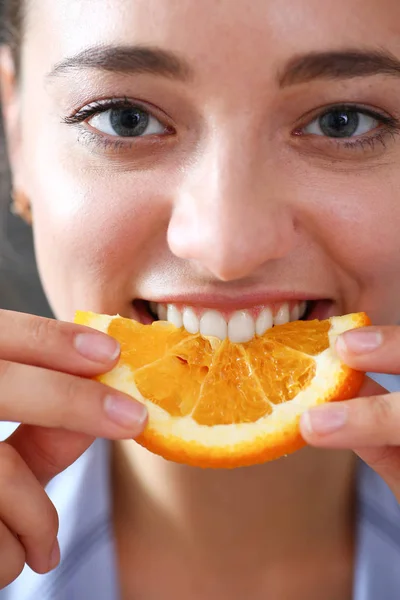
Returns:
(10, 105)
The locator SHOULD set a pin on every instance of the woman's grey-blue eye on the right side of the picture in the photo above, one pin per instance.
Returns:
(342, 123)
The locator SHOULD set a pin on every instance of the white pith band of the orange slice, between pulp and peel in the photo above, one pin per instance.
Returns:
(328, 368)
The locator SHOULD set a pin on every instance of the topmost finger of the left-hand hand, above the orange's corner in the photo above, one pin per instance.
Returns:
(55, 345)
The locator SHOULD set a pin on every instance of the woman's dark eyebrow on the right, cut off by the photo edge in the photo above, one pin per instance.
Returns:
(339, 65)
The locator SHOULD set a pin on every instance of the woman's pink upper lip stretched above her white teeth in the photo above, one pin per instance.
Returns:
(234, 300)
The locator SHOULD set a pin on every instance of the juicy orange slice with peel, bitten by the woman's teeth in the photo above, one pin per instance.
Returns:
(219, 404)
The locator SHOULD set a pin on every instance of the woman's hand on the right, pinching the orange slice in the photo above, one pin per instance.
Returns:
(369, 424)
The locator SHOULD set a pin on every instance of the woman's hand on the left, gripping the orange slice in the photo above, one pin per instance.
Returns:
(45, 371)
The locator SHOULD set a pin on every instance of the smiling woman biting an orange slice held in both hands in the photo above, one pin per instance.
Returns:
(185, 152)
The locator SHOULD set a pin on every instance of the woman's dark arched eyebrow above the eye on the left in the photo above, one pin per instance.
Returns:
(126, 60)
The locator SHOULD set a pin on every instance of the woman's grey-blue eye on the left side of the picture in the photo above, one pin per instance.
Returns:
(130, 121)
